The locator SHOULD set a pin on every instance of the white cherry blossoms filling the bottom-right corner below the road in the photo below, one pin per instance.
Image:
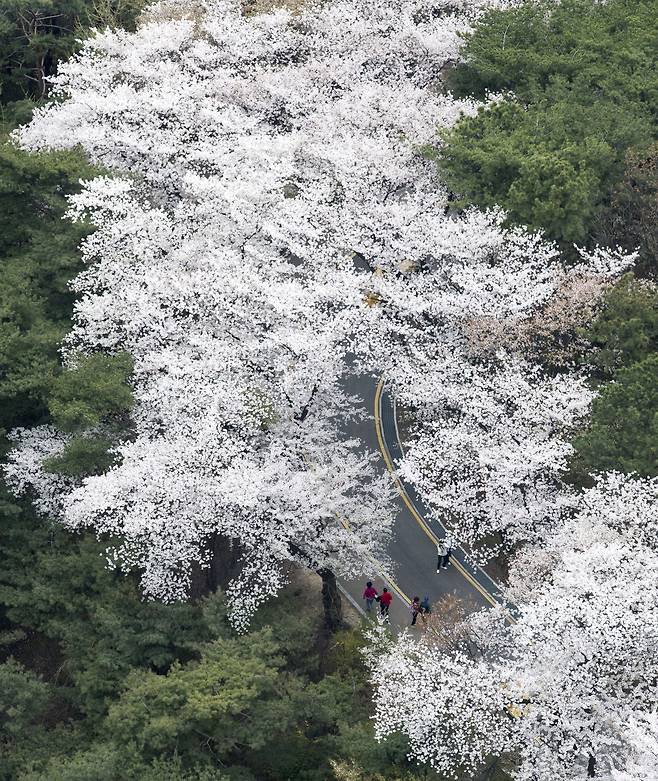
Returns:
(553, 693)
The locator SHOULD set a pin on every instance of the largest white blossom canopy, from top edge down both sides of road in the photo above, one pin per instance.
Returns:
(269, 215)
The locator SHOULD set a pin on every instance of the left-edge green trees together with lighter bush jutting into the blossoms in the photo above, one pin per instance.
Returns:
(39, 256)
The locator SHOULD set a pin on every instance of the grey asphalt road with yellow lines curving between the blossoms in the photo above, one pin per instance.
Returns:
(413, 544)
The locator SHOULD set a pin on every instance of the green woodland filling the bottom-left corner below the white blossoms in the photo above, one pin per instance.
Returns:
(139, 689)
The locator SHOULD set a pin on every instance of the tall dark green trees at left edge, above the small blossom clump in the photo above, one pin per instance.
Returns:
(38, 256)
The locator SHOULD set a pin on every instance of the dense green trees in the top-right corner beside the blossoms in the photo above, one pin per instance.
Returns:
(558, 152)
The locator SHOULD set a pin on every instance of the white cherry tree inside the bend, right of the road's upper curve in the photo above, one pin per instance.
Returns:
(492, 419)
